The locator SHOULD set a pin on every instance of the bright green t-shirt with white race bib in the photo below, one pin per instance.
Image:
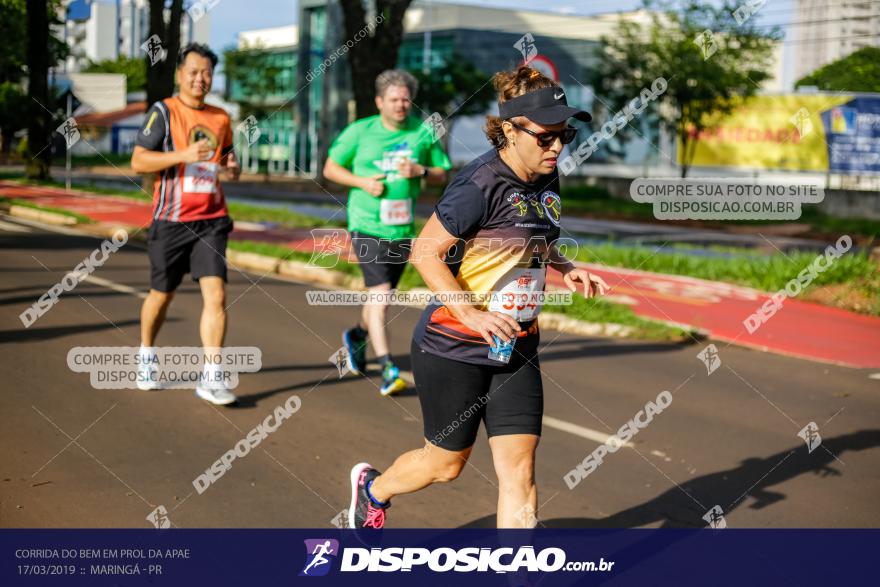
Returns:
(367, 148)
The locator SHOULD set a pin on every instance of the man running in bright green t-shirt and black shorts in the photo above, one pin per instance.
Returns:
(383, 159)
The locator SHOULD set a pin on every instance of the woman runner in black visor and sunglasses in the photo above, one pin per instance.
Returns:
(492, 234)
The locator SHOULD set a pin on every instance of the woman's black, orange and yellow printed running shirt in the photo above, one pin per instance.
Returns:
(506, 229)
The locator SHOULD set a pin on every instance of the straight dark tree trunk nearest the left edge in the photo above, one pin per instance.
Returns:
(40, 117)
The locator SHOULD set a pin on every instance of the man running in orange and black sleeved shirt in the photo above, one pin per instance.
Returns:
(188, 144)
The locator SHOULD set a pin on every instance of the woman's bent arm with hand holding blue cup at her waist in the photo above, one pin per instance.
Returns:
(427, 255)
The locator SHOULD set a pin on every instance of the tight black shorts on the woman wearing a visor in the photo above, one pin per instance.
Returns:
(456, 396)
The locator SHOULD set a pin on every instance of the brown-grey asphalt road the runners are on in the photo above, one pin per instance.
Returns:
(74, 456)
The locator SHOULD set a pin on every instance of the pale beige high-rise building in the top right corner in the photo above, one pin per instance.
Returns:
(828, 30)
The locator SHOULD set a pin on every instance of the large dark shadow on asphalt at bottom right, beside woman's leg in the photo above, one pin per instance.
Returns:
(678, 507)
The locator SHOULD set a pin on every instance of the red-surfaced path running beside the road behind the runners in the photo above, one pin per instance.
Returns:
(799, 329)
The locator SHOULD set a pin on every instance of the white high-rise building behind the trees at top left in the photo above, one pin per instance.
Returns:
(111, 29)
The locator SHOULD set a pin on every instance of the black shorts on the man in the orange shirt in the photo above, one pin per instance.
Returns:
(178, 248)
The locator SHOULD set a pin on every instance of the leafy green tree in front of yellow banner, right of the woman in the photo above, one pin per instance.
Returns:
(710, 64)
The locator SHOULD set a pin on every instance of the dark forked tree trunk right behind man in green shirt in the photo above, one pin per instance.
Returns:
(374, 52)
